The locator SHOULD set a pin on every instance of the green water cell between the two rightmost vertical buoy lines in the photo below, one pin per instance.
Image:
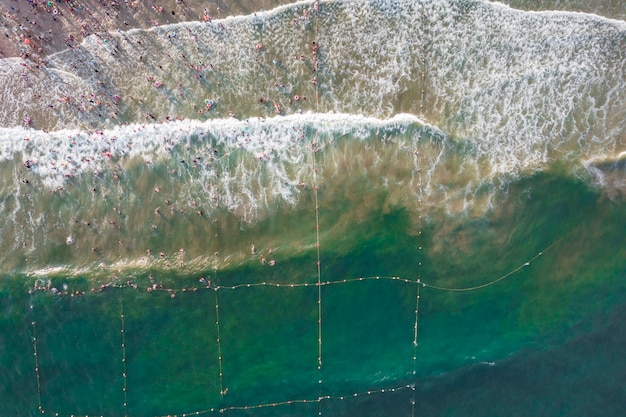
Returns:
(367, 333)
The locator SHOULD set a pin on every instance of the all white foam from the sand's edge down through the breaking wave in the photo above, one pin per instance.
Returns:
(511, 91)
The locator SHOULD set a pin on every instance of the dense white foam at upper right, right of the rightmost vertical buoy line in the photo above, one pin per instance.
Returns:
(531, 86)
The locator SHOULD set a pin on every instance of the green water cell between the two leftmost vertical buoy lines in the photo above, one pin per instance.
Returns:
(78, 340)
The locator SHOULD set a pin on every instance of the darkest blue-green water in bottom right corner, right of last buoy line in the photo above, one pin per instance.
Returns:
(584, 376)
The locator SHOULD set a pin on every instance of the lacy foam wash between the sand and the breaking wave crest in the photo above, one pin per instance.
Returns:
(484, 63)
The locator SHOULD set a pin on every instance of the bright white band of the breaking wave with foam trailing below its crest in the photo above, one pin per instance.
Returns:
(58, 155)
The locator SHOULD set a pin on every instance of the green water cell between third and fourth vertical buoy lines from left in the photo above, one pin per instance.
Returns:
(269, 344)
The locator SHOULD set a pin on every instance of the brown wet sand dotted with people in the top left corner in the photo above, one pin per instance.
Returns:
(34, 29)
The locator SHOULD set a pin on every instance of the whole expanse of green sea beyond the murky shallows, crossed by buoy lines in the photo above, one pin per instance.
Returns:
(269, 335)
